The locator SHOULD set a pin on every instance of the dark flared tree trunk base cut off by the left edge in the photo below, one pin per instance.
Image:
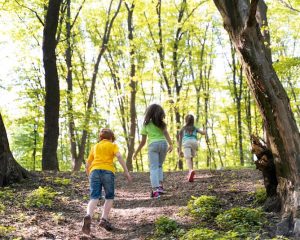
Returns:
(10, 170)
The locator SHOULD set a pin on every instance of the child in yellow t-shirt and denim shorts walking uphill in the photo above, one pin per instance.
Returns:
(100, 169)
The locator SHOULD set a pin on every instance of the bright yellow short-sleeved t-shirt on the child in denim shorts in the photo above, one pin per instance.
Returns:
(102, 155)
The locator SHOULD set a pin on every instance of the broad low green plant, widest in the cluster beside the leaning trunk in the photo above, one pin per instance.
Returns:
(241, 220)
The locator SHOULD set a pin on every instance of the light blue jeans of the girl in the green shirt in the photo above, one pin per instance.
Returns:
(157, 152)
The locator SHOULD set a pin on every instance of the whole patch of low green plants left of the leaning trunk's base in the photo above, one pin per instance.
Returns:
(214, 223)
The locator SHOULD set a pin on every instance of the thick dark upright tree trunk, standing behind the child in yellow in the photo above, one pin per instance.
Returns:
(52, 98)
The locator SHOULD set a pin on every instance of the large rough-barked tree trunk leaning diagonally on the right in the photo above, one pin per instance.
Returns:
(272, 100)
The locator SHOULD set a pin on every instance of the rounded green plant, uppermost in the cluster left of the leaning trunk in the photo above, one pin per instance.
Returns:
(204, 207)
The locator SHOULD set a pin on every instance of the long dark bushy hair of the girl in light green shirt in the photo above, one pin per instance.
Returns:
(156, 114)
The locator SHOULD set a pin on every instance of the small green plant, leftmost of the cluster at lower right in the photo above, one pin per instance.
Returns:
(165, 226)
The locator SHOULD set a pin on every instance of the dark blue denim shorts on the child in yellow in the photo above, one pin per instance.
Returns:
(99, 179)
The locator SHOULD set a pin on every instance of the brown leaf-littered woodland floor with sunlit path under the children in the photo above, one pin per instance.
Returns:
(134, 211)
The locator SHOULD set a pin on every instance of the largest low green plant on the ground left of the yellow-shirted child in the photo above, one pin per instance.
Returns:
(41, 197)
